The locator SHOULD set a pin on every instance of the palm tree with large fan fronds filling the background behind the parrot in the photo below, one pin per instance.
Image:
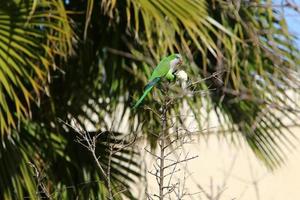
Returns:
(64, 60)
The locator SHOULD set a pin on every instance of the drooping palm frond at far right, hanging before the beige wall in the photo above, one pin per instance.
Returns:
(258, 80)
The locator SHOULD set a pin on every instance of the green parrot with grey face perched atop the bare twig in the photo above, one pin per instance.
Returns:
(166, 68)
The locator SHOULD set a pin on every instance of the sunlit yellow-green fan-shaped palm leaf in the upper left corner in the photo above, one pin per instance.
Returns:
(31, 34)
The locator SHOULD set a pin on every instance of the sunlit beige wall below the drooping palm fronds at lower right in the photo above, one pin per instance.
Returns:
(233, 170)
